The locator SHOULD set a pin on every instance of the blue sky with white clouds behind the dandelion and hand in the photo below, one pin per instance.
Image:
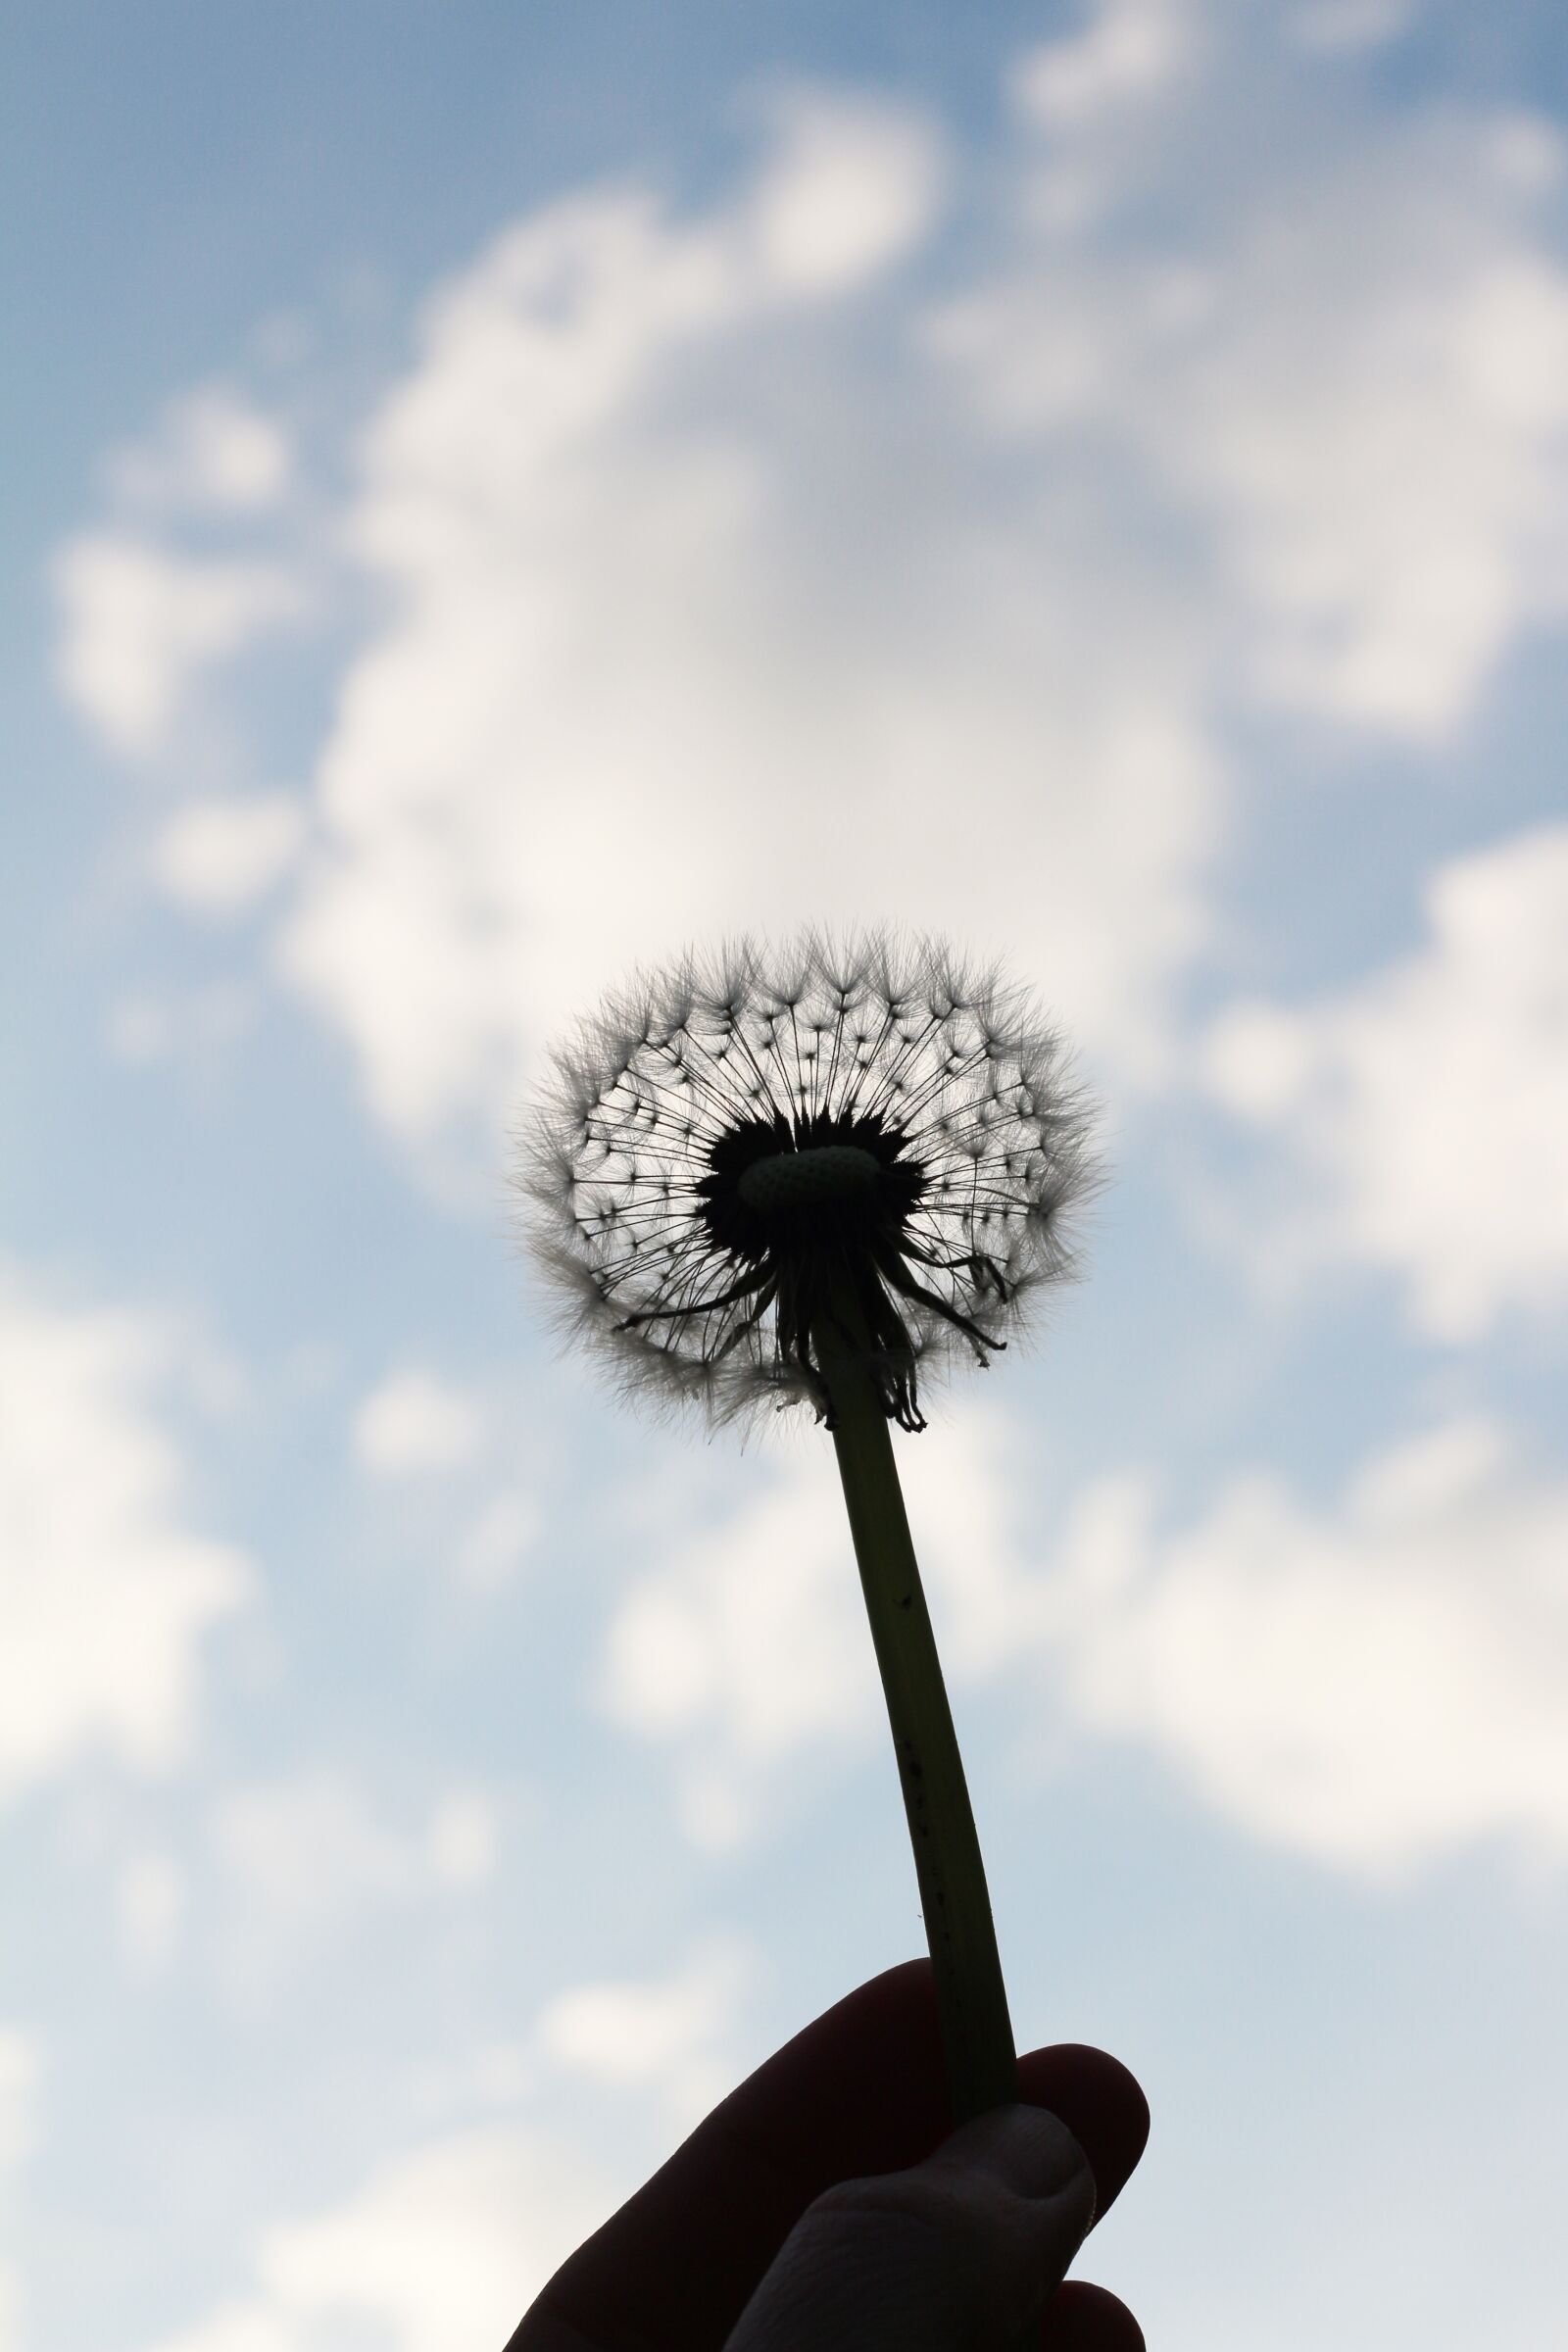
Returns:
(500, 497)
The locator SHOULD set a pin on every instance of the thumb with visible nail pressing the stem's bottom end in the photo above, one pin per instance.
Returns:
(956, 2254)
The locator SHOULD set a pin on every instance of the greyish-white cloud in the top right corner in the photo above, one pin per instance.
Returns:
(1339, 354)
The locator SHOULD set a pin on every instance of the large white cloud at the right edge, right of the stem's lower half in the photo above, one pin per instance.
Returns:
(1374, 1688)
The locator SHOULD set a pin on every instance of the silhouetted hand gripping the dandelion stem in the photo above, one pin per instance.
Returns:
(826, 2207)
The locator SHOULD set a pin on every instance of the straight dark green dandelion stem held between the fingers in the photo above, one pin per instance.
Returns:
(970, 1991)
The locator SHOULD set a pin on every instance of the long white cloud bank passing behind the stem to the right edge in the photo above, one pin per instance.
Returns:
(1372, 1685)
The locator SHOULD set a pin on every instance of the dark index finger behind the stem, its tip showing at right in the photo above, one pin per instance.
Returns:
(859, 2092)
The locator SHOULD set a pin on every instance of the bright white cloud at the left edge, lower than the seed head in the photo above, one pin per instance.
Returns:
(105, 1591)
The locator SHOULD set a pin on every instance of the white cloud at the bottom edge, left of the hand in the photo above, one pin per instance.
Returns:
(443, 2247)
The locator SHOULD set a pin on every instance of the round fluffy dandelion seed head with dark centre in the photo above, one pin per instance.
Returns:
(746, 1161)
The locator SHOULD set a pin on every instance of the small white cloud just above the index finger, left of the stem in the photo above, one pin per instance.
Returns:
(666, 2036)
